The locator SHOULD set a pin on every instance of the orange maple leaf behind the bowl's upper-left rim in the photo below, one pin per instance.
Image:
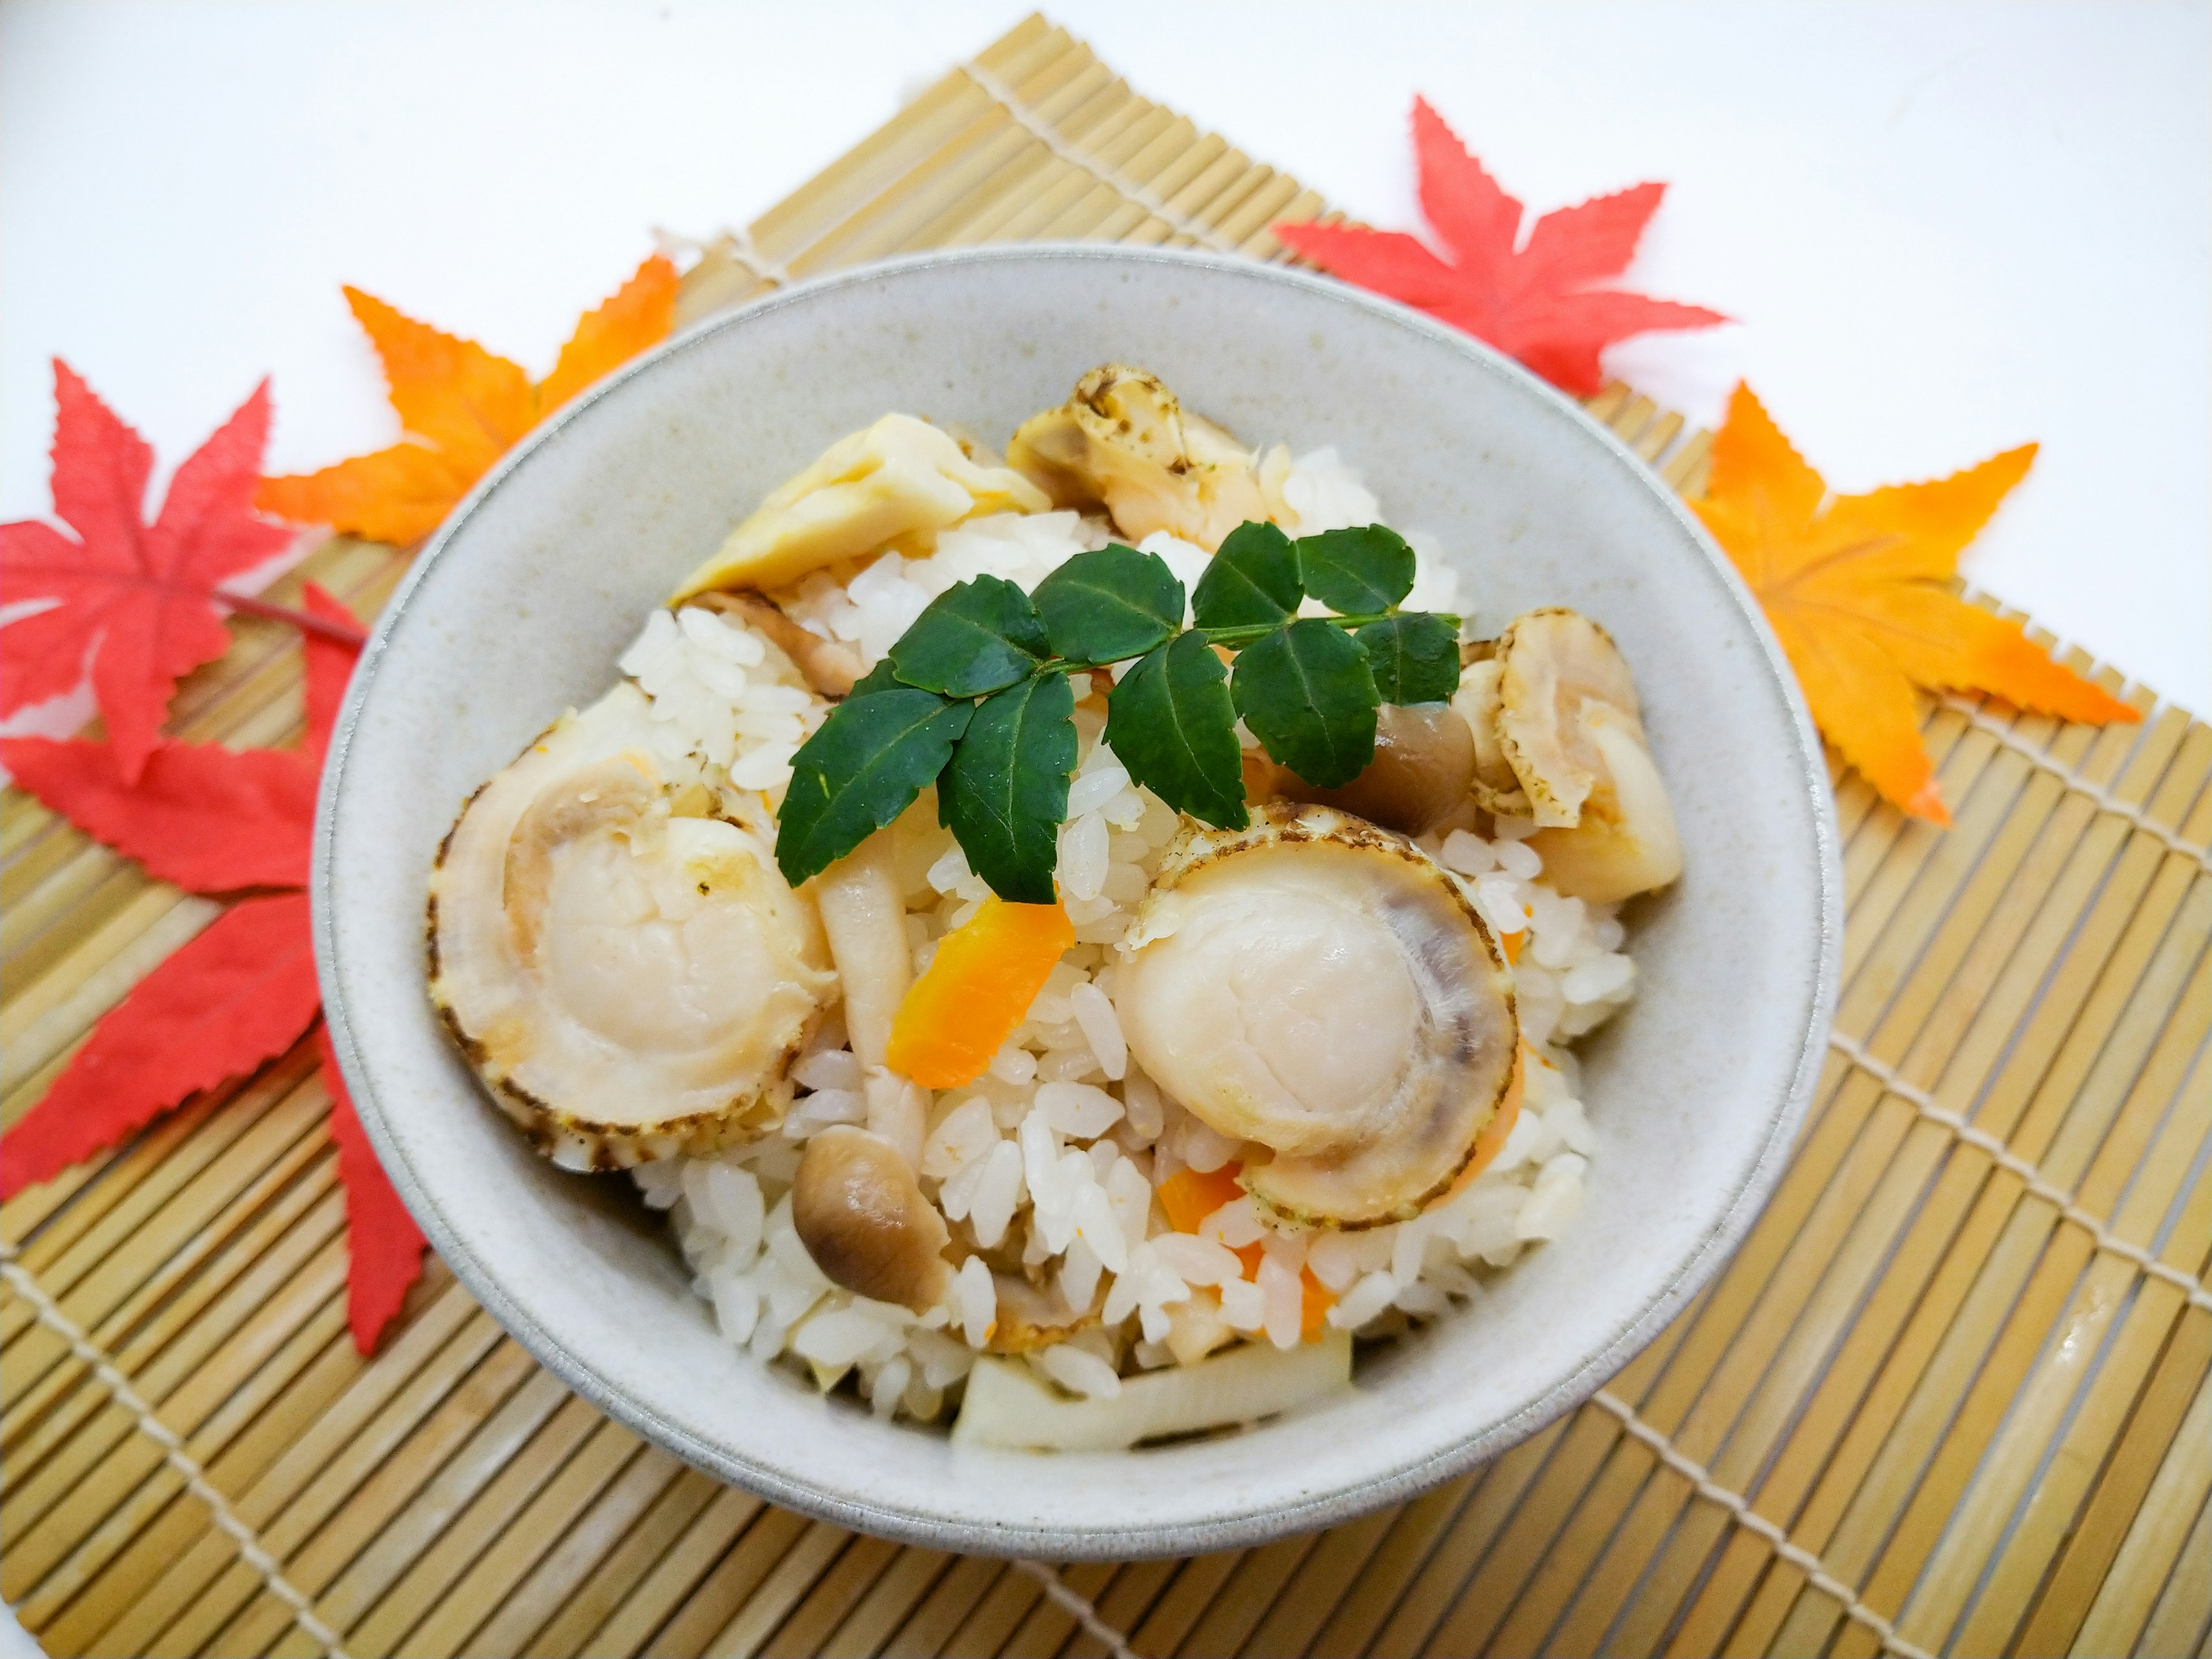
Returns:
(461, 410)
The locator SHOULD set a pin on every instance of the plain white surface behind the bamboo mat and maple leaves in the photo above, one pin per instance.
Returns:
(1945, 229)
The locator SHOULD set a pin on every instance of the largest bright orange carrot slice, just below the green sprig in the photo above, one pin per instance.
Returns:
(977, 992)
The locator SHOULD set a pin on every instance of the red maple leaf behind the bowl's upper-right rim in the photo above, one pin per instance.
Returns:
(1538, 302)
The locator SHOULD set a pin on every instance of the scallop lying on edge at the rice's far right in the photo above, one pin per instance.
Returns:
(1561, 740)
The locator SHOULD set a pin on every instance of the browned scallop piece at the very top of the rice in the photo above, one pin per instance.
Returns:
(1129, 446)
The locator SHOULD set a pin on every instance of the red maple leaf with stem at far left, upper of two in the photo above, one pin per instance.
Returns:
(136, 603)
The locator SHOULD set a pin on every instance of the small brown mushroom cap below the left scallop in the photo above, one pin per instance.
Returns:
(864, 1218)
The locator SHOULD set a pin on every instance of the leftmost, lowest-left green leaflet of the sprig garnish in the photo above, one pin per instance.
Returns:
(862, 771)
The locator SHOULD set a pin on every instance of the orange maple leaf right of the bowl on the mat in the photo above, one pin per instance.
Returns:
(1857, 592)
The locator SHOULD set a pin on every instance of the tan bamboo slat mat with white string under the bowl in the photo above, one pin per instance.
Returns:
(1952, 1395)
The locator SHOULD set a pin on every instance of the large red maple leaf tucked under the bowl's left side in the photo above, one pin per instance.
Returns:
(244, 990)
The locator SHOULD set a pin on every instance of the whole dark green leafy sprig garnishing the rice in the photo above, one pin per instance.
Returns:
(977, 700)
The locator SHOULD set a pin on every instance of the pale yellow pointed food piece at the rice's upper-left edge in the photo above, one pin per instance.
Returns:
(893, 486)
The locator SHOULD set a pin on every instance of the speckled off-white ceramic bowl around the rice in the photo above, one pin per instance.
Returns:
(543, 576)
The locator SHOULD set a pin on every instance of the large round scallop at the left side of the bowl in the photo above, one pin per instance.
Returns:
(627, 981)
